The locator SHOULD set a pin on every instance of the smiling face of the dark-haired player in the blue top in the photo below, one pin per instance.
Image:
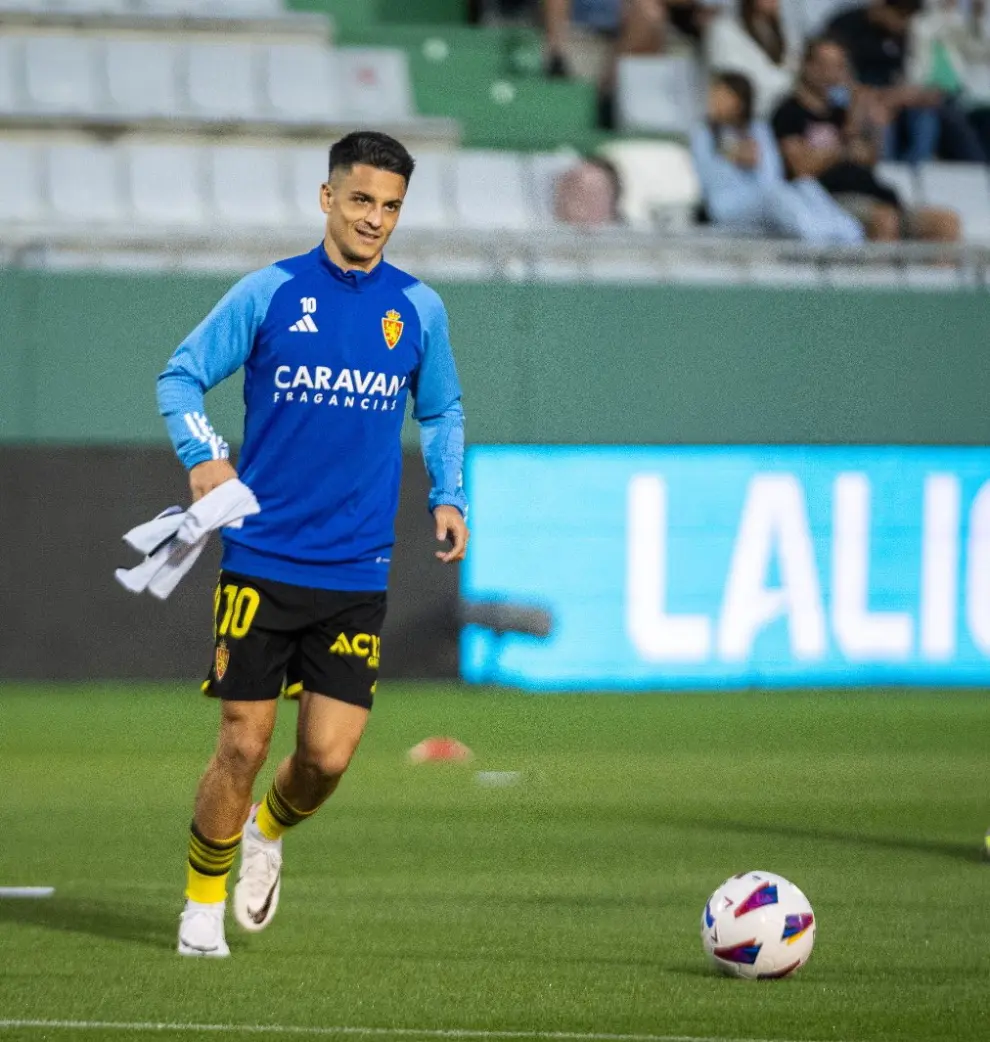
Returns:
(362, 207)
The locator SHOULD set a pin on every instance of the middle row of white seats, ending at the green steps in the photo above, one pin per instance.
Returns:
(58, 79)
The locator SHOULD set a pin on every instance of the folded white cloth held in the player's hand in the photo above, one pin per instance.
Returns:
(174, 541)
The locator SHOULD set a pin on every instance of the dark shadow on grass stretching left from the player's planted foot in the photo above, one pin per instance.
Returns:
(96, 919)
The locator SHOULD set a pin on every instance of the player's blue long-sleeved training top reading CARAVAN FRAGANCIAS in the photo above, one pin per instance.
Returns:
(330, 357)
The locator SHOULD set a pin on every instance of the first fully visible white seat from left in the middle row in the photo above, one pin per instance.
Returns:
(62, 76)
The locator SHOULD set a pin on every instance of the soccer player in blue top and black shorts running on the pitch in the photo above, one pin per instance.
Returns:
(332, 343)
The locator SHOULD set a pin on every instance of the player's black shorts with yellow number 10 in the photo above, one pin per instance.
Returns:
(273, 639)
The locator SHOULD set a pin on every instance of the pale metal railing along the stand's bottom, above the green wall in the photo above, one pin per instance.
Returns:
(540, 255)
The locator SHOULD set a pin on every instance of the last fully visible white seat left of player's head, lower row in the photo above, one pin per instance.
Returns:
(247, 187)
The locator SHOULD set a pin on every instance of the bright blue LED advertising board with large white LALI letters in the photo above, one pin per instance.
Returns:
(732, 566)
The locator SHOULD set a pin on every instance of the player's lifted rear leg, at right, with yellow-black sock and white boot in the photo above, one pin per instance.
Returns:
(327, 738)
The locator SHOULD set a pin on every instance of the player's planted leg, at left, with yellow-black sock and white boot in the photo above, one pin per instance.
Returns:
(222, 803)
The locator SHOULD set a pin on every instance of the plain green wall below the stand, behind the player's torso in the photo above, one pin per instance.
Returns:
(553, 364)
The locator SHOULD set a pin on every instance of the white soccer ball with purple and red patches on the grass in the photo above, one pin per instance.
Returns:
(758, 926)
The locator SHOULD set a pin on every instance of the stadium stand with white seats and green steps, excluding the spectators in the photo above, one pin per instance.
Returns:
(166, 132)
